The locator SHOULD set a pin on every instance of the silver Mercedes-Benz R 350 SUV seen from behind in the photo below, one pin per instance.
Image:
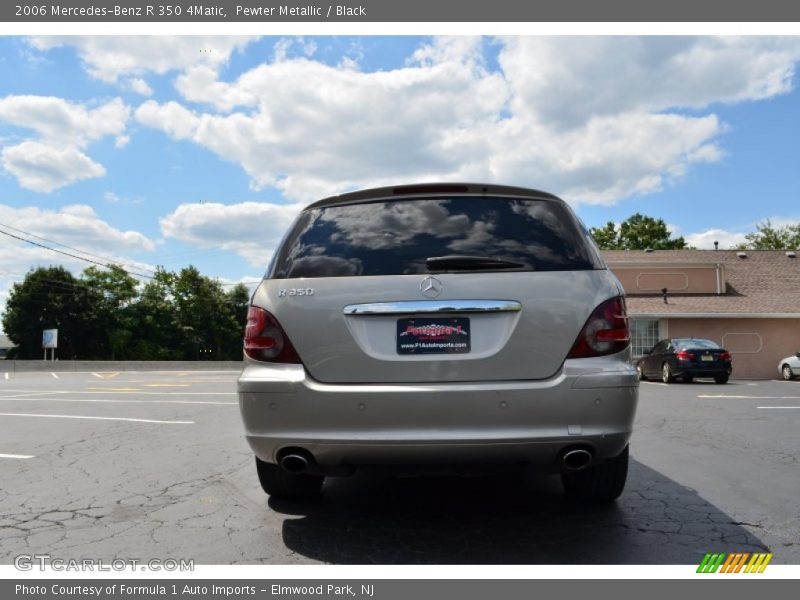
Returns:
(438, 325)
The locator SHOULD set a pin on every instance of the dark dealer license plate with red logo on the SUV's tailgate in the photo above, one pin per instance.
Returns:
(433, 335)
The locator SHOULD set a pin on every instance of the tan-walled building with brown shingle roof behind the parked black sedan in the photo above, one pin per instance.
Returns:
(748, 302)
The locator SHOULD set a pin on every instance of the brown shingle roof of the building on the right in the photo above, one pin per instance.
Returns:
(765, 282)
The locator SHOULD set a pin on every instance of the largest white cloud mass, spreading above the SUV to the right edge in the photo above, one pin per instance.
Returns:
(594, 119)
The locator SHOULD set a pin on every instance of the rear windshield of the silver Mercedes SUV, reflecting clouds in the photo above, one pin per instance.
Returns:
(396, 237)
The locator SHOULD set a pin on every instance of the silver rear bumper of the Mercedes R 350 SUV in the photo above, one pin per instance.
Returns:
(589, 403)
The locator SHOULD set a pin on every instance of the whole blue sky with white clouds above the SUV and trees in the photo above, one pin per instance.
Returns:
(200, 150)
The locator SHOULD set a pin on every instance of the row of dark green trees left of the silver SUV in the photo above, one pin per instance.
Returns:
(106, 314)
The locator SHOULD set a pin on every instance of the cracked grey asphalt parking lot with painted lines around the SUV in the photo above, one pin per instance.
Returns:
(154, 465)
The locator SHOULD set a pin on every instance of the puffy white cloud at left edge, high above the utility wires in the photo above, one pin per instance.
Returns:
(57, 158)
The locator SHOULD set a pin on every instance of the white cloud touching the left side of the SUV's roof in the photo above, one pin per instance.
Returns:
(251, 229)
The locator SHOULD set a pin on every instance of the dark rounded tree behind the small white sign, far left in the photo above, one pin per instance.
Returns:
(49, 298)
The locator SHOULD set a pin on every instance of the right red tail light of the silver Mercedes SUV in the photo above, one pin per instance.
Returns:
(606, 331)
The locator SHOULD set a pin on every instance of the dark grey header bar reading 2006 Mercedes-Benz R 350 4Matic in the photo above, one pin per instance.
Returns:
(365, 11)
